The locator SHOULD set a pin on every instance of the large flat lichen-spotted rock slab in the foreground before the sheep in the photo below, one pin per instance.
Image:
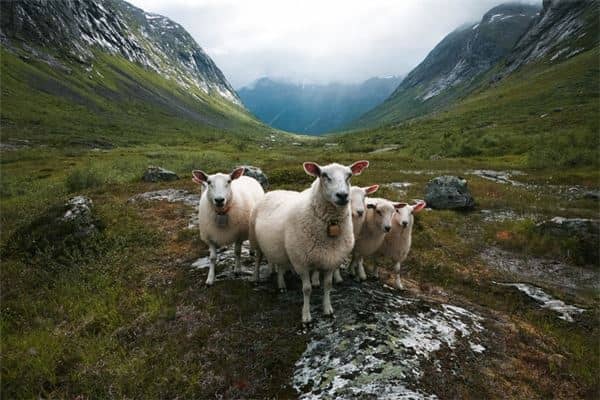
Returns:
(380, 344)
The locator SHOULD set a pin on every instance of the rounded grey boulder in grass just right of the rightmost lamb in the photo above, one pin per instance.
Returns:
(448, 192)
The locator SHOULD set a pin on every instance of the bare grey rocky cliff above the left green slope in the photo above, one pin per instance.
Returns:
(78, 29)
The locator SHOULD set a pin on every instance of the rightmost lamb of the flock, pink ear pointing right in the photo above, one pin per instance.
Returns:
(397, 243)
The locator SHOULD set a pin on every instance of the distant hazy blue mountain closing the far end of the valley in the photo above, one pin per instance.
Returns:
(314, 109)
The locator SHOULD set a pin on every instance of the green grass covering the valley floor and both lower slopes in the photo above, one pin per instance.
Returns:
(121, 315)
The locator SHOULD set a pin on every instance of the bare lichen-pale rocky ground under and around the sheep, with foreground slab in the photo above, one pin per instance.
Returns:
(418, 343)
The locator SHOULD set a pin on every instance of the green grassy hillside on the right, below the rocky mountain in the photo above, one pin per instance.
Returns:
(545, 114)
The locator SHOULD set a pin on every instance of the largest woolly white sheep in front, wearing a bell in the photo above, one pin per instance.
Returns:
(308, 230)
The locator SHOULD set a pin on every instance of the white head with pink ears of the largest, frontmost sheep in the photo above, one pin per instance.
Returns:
(334, 180)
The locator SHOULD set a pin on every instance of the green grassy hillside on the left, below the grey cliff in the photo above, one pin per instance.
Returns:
(115, 101)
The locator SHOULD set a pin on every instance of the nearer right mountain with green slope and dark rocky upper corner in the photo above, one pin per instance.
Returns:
(537, 106)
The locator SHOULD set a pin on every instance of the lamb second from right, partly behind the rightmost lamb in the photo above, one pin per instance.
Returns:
(377, 223)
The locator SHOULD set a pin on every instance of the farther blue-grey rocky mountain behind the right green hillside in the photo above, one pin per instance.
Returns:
(455, 66)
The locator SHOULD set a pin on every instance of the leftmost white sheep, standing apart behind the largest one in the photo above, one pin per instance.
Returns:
(224, 211)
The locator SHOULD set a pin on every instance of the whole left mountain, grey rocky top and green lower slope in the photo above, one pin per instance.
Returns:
(110, 67)
